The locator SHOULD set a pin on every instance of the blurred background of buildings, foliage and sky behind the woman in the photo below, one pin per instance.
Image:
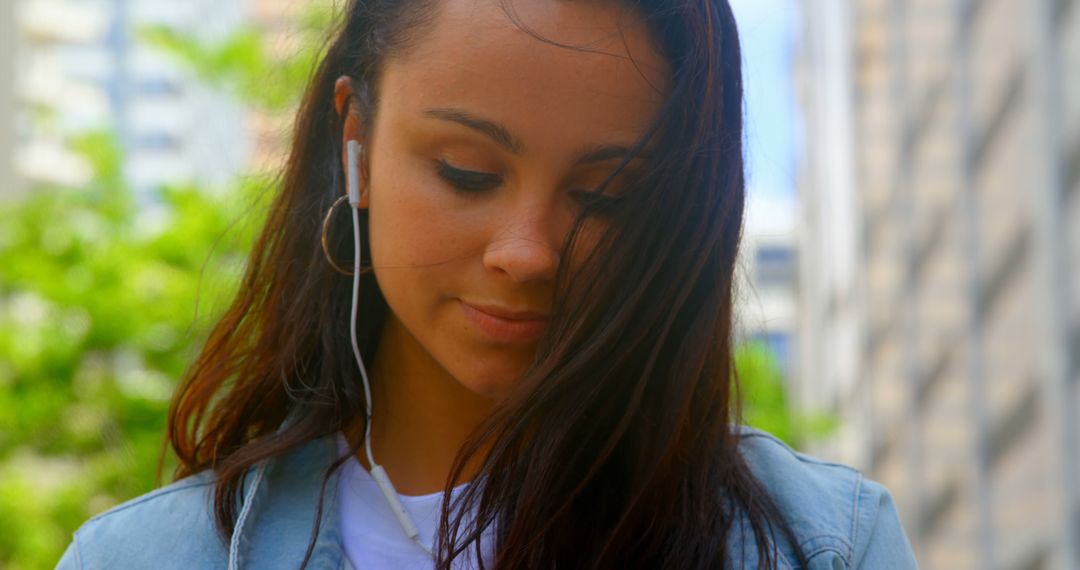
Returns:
(908, 280)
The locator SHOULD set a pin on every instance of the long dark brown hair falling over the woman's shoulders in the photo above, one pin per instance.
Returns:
(616, 449)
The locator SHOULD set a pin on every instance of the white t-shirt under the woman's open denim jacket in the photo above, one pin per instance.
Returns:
(371, 535)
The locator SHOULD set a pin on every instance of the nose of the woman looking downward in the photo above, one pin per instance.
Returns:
(524, 249)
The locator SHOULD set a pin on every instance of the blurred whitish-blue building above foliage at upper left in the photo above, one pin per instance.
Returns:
(79, 66)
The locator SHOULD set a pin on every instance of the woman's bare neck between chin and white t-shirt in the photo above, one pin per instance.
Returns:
(422, 416)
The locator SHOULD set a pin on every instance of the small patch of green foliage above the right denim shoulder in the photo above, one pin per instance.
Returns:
(766, 405)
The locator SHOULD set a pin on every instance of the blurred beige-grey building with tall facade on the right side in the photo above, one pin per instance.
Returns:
(941, 264)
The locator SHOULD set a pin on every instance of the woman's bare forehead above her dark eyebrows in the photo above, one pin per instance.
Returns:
(593, 71)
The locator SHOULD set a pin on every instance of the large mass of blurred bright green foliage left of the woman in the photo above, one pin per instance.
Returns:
(99, 305)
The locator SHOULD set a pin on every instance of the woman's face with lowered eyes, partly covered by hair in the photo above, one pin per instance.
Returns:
(484, 141)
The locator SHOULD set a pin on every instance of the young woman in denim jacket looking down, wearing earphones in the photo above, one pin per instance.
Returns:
(528, 364)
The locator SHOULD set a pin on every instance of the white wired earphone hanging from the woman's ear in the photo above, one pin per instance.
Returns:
(354, 151)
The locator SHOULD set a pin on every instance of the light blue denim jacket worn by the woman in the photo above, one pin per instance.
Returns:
(841, 520)
